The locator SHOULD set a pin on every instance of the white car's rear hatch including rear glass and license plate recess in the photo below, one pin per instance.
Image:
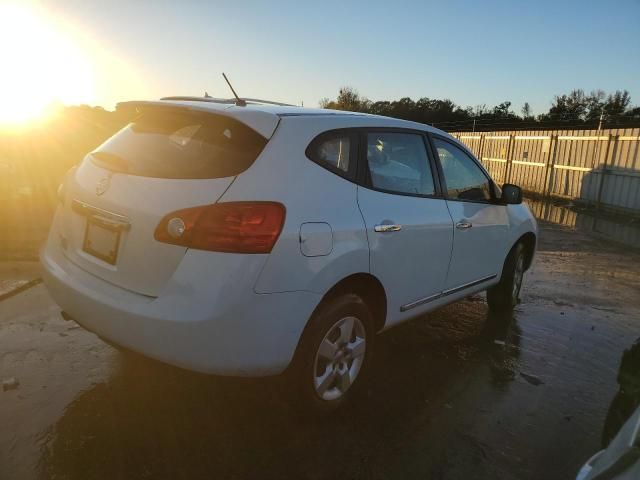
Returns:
(165, 160)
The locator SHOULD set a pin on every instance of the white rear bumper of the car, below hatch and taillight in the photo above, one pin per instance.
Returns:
(220, 326)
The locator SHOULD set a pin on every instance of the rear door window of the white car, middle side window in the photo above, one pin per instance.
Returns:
(398, 163)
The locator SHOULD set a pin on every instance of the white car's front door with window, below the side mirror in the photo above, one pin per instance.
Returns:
(481, 224)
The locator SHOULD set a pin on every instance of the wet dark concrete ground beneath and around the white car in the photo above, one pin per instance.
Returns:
(458, 394)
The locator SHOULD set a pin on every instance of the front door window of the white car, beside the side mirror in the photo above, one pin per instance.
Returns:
(464, 179)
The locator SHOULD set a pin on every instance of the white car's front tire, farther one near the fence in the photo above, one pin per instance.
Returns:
(506, 294)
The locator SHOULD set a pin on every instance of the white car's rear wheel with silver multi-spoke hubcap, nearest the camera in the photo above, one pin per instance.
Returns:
(334, 355)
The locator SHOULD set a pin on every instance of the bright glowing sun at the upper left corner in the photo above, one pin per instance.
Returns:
(40, 66)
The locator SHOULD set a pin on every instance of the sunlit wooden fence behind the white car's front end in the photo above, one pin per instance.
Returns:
(599, 167)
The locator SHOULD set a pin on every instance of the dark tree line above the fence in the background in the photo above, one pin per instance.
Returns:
(575, 109)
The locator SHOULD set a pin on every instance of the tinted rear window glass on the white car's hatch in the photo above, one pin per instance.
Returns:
(178, 145)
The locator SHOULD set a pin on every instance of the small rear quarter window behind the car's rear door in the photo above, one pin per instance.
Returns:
(334, 150)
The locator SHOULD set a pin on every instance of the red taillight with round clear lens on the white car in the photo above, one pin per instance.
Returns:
(237, 227)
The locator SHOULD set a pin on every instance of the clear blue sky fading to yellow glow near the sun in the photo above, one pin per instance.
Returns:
(468, 51)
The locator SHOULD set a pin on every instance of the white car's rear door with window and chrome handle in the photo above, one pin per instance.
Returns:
(409, 229)
